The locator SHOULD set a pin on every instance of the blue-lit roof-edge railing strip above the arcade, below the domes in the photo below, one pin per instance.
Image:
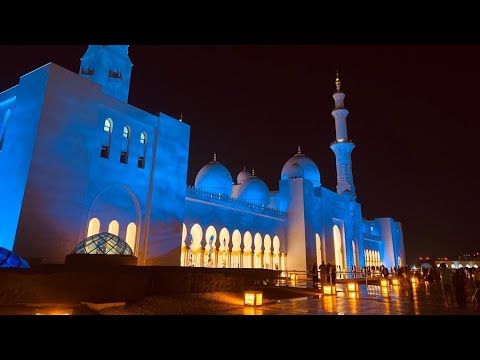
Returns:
(233, 202)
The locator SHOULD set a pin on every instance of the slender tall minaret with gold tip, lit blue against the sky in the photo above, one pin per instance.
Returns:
(342, 147)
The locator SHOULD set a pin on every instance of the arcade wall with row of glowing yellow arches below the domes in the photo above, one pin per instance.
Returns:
(247, 235)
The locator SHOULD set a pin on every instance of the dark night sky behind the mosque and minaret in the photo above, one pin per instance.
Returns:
(412, 118)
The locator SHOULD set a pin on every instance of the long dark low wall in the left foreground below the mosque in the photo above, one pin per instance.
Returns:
(71, 284)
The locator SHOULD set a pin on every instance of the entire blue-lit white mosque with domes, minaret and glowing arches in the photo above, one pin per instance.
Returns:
(77, 160)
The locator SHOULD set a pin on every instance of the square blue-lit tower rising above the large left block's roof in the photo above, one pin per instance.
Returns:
(109, 66)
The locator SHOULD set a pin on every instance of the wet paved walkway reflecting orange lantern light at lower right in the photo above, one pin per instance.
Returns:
(370, 300)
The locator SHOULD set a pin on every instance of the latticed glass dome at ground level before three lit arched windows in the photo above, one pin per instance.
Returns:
(103, 243)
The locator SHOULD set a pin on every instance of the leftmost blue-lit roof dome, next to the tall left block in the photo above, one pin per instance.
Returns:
(214, 177)
